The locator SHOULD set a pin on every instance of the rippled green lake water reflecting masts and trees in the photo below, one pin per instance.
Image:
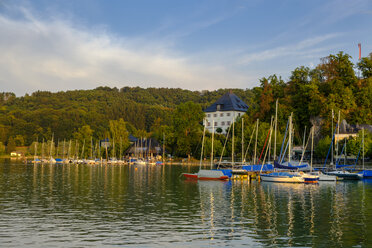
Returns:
(151, 206)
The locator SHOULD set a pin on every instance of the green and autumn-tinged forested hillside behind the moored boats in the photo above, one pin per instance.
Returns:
(336, 83)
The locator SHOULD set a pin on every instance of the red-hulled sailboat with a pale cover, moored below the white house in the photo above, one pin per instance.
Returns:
(206, 174)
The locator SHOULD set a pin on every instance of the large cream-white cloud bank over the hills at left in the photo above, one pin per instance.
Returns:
(54, 55)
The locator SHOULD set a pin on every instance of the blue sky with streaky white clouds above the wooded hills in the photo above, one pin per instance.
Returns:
(59, 45)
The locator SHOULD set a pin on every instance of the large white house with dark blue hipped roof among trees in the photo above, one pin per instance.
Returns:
(224, 111)
